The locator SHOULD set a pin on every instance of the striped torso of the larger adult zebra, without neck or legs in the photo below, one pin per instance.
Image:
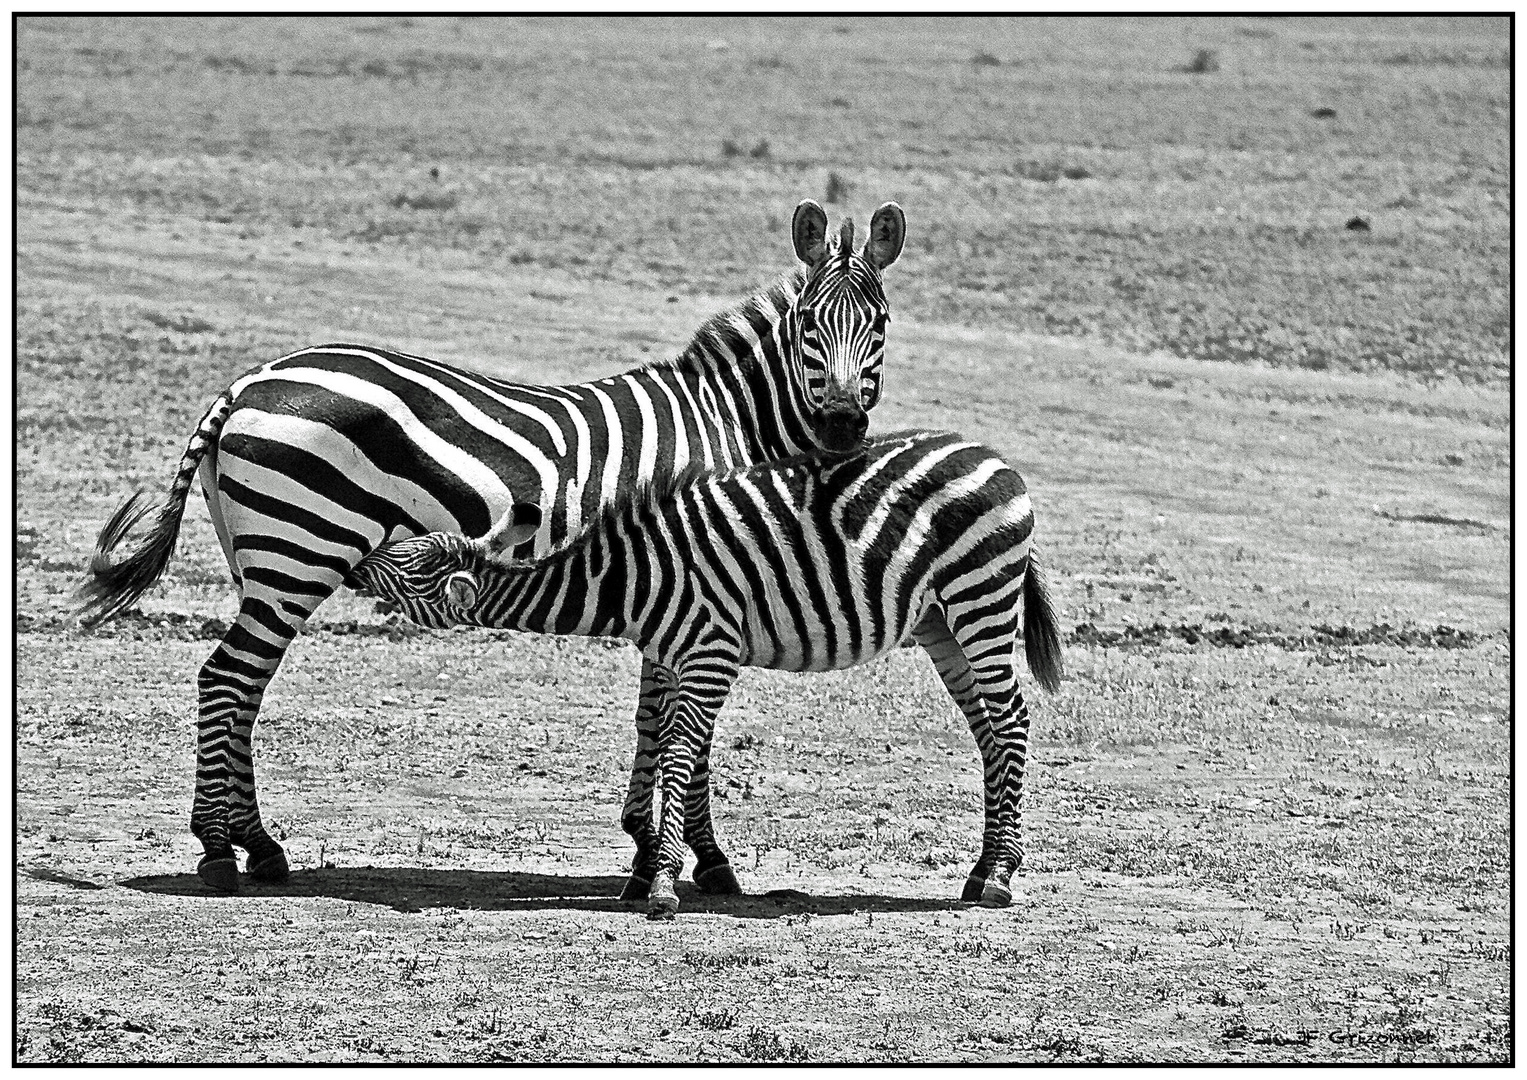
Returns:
(387, 444)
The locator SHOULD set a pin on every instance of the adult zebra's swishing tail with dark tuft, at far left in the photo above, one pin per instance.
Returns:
(117, 583)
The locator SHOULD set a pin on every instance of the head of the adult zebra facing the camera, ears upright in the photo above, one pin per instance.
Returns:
(838, 322)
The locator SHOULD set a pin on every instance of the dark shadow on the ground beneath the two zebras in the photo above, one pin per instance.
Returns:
(412, 890)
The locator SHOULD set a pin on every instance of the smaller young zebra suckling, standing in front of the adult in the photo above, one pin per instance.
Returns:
(807, 564)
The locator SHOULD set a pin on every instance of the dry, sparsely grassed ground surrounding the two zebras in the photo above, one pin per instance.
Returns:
(1270, 810)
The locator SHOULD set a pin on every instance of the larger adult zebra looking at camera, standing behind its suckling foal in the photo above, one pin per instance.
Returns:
(315, 461)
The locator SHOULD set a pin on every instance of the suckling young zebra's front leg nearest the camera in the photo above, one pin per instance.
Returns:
(683, 734)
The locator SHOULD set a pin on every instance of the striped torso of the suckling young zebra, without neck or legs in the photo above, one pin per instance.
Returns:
(830, 564)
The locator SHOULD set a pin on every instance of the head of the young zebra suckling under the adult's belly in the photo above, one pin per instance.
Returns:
(437, 578)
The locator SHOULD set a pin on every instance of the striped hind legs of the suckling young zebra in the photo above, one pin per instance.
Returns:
(987, 694)
